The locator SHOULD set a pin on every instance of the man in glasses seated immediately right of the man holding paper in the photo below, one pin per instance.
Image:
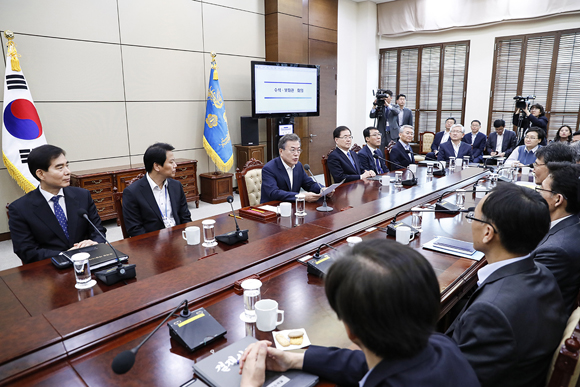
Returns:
(344, 163)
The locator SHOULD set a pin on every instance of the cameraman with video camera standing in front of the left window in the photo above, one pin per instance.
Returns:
(386, 117)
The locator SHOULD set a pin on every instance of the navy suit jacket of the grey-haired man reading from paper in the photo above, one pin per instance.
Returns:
(276, 184)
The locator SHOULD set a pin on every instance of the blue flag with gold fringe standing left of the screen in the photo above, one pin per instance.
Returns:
(216, 136)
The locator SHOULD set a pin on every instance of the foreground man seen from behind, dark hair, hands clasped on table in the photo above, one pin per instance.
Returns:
(387, 296)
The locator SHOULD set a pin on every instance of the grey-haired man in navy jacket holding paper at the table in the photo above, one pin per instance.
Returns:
(283, 176)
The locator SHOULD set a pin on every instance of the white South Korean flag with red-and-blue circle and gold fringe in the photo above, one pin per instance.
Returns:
(21, 127)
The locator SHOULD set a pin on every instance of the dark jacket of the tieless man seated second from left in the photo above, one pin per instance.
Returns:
(141, 211)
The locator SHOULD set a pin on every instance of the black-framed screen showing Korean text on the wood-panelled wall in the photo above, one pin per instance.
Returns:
(285, 89)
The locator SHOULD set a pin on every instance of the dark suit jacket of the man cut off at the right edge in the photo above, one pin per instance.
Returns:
(559, 251)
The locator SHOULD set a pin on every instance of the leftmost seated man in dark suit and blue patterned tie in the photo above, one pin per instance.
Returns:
(45, 221)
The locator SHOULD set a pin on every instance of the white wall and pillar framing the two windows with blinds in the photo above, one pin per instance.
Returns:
(481, 39)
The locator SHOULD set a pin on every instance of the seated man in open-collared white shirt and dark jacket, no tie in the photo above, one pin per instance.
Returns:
(155, 201)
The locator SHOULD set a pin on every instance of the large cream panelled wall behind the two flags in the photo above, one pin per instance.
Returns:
(111, 77)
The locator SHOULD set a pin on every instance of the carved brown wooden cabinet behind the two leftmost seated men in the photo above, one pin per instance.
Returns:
(101, 183)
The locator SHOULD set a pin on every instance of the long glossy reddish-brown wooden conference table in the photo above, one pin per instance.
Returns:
(55, 334)
